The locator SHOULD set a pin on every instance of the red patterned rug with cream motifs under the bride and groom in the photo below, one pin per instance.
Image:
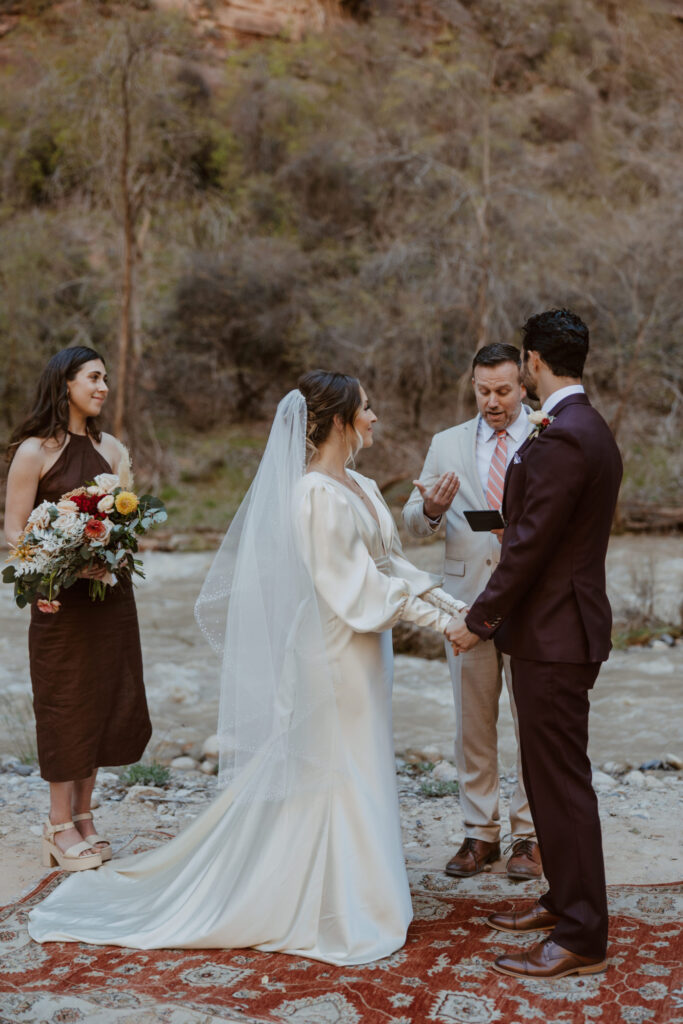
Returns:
(442, 975)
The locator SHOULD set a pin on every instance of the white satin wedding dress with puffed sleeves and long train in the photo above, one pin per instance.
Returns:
(318, 874)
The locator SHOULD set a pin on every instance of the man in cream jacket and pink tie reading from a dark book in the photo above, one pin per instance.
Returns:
(465, 471)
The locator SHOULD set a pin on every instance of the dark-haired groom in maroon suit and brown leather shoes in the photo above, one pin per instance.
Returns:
(547, 608)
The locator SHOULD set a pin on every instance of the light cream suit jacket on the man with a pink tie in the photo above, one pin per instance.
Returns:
(471, 558)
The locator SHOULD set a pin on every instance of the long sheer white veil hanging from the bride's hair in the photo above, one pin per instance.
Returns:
(277, 719)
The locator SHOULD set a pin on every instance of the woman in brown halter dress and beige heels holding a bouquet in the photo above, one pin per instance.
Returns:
(87, 665)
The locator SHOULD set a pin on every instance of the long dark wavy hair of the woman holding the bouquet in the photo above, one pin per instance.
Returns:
(50, 414)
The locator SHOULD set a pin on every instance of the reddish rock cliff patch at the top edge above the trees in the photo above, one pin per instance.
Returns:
(231, 19)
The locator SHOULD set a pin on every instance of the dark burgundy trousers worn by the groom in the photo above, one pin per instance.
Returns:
(552, 708)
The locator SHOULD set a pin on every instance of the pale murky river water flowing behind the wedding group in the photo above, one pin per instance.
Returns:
(636, 704)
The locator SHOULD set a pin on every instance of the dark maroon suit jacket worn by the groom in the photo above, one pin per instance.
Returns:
(547, 601)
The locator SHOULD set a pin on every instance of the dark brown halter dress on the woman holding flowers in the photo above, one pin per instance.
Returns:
(87, 664)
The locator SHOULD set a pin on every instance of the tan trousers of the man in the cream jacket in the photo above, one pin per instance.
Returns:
(478, 681)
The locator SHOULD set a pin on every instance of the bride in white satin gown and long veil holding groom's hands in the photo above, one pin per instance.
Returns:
(302, 852)
